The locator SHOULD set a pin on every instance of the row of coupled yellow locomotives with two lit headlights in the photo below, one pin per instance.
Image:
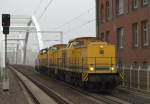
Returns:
(86, 62)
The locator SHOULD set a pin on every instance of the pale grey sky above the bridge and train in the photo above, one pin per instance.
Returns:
(59, 12)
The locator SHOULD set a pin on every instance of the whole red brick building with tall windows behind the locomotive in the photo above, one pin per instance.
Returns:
(126, 23)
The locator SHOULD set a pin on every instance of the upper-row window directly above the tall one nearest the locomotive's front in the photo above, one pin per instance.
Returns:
(120, 6)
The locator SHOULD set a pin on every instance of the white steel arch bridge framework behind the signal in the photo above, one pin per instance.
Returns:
(30, 25)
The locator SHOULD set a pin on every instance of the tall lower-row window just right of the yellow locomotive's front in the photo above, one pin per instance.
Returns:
(120, 37)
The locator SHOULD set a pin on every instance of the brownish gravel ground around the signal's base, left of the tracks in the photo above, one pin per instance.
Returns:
(15, 94)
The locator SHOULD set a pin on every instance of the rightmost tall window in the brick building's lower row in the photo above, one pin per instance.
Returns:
(145, 32)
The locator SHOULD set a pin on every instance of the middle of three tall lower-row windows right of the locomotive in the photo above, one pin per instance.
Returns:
(135, 34)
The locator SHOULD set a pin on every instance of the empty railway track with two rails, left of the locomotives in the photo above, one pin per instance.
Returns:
(49, 92)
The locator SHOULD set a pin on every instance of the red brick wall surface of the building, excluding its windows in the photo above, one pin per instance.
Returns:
(128, 53)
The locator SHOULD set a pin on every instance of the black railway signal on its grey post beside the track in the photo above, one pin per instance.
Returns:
(6, 25)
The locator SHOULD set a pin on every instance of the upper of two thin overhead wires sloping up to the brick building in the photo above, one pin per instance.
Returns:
(73, 19)
